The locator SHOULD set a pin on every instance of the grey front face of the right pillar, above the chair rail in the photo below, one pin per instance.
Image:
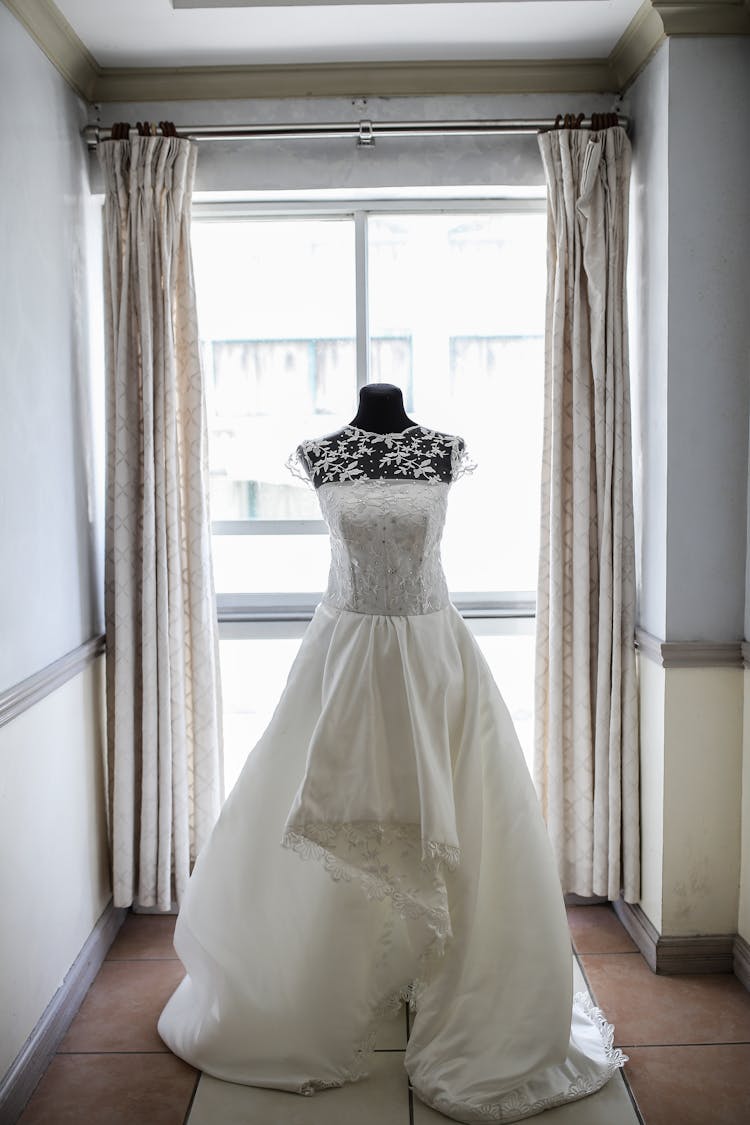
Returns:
(709, 337)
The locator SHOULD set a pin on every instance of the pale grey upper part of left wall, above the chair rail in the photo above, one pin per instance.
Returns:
(51, 502)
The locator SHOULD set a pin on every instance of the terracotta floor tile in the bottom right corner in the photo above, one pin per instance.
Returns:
(691, 1085)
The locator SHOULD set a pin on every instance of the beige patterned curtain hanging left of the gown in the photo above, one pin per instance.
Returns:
(164, 701)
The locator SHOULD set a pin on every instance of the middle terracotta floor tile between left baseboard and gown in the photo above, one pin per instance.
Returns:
(122, 1007)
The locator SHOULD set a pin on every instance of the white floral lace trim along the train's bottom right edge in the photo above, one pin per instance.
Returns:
(516, 1106)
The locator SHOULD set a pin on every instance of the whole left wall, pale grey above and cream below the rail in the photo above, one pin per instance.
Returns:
(55, 880)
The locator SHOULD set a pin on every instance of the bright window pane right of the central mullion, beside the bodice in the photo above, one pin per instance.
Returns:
(466, 295)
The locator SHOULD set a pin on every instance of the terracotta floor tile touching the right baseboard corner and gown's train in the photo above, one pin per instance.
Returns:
(650, 1010)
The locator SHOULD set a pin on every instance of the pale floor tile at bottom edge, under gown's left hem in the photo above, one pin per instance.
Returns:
(381, 1100)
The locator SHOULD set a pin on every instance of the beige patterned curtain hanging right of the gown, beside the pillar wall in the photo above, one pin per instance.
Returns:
(586, 759)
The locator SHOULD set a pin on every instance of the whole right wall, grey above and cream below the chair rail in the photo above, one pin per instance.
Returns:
(690, 280)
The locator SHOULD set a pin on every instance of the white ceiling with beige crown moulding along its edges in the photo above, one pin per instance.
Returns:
(160, 51)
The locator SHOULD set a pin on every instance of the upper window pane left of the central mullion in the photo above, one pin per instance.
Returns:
(276, 308)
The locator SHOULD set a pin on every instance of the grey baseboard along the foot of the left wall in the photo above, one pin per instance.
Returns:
(34, 1058)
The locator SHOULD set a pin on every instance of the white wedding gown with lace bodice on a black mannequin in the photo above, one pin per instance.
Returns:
(392, 764)
